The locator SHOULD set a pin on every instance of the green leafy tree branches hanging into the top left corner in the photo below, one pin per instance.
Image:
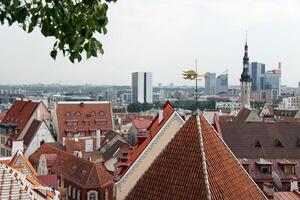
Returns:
(73, 23)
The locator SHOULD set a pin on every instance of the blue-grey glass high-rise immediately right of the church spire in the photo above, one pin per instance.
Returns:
(257, 71)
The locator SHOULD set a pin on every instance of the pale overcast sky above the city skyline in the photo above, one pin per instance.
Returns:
(165, 37)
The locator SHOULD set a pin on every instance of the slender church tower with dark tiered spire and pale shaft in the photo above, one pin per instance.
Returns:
(245, 80)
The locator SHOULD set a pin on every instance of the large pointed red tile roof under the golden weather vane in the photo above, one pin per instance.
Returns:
(196, 164)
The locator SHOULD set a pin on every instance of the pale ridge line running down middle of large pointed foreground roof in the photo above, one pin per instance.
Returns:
(203, 160)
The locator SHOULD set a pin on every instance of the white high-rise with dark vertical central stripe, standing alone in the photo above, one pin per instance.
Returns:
(142, 89)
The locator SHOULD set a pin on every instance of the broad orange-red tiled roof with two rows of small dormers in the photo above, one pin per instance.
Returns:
(99, 114)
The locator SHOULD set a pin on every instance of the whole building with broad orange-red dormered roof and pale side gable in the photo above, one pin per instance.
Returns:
(81, 119)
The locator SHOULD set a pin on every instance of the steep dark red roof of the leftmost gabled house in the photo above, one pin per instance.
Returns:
(20, 112)
